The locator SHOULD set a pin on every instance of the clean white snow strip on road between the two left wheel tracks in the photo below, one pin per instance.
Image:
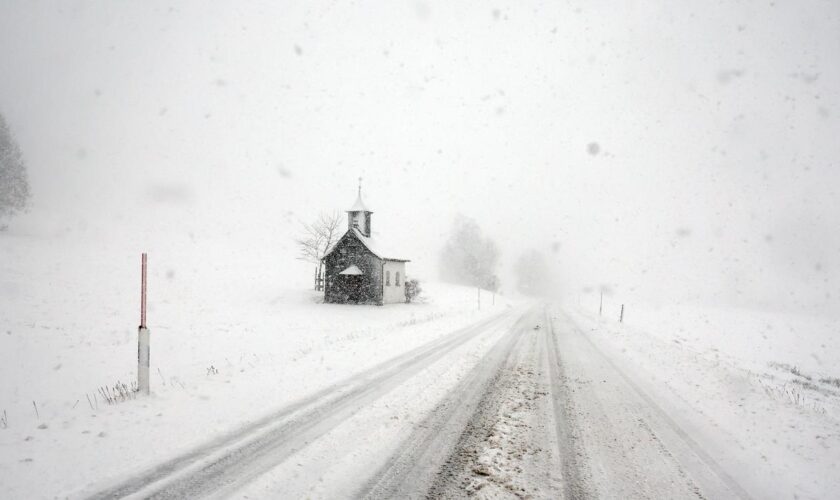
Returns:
(340, 463)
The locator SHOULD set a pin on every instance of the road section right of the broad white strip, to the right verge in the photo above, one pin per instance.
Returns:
(547, 415)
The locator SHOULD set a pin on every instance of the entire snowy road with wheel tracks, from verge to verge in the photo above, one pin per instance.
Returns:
(519, 405)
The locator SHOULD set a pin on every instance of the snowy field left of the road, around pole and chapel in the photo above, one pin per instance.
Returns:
(229, 345)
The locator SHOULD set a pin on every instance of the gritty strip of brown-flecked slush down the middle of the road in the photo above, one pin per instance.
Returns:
(508, 450)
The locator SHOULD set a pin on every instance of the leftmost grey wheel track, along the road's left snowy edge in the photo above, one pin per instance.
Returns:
(244, 454)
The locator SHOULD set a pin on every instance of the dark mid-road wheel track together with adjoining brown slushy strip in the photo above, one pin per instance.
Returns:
(490, 433)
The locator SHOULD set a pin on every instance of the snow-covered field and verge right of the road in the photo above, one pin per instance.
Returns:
(755, 389)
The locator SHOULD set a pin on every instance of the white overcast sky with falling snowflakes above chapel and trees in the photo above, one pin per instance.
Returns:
(716, 174)
